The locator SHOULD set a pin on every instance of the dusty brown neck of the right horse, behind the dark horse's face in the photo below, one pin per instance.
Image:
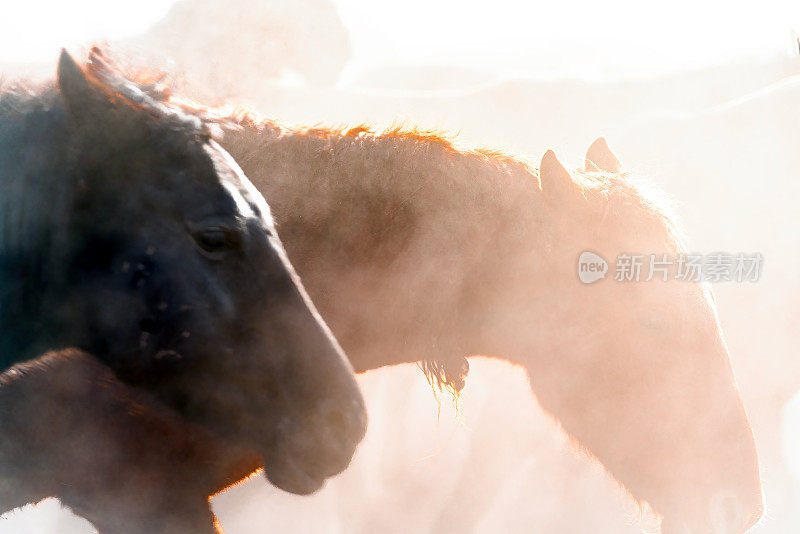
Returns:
(400, 240)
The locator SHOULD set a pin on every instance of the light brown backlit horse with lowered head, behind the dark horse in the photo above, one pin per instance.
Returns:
(415, 250)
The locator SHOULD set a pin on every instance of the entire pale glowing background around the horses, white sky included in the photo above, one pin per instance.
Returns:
(701, 98)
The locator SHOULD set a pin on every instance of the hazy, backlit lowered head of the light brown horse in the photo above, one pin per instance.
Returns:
(637, 369)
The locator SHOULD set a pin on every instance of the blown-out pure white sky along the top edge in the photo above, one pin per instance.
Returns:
(538, 38)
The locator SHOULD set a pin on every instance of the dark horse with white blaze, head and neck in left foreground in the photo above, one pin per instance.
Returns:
(127, 232)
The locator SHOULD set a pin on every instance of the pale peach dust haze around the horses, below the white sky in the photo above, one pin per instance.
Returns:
(722, 140)
